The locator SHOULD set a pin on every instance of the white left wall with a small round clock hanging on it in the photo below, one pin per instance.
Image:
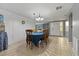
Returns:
(13, 26)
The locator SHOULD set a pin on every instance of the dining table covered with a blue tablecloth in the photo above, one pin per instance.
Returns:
(36, 37)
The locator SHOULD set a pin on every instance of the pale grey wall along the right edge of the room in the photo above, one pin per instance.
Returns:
(75, 33)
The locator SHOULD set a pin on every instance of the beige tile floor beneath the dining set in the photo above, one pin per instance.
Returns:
(57, 46)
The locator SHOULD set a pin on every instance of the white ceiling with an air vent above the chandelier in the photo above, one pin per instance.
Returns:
(47, 10)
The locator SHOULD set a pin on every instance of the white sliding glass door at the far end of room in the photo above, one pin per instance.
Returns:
(57, 28)
